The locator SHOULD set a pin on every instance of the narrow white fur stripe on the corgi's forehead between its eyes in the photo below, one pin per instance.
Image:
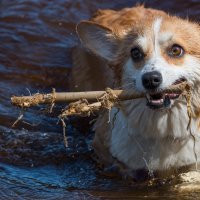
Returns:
(156, 29)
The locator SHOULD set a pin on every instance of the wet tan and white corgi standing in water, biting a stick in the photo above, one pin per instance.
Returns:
(144, 50)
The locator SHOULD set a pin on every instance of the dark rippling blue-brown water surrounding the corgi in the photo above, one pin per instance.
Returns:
(36, 39)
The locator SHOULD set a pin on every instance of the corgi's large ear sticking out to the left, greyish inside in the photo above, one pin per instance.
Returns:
(99, 39)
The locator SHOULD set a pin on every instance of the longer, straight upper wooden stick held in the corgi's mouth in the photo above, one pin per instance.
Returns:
(92, 96)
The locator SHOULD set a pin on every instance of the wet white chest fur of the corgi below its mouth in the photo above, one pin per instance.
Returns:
(156, 140)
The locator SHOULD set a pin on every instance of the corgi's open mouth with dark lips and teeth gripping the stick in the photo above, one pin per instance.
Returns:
(157, 100)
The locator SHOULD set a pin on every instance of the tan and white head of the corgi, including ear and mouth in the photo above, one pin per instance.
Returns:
(150, 56)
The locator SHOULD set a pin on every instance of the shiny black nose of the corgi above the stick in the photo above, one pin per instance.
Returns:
(151, 80)
